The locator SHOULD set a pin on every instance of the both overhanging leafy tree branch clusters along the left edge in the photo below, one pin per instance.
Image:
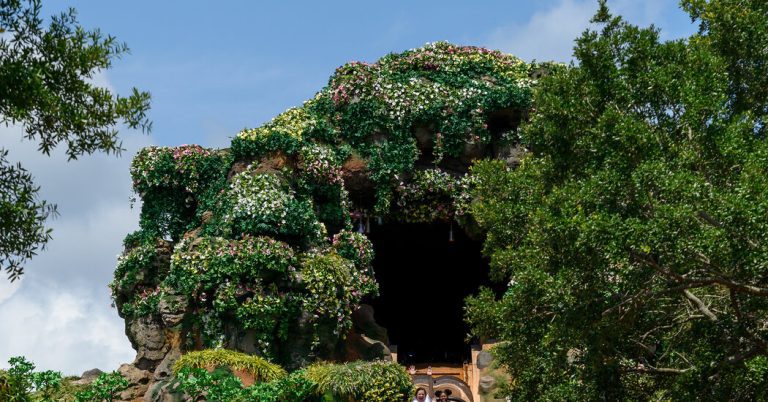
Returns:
(46, 88)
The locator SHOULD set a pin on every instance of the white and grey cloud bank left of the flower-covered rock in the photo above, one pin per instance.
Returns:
(59, 315)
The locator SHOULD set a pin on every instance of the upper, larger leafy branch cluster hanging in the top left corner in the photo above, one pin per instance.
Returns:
(46, 74)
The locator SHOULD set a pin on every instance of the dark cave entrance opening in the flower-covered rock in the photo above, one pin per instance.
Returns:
(423, 279)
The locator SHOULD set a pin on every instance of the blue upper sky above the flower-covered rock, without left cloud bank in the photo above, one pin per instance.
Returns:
(214, 70)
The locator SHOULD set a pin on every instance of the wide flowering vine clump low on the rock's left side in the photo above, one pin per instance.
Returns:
(240, 279)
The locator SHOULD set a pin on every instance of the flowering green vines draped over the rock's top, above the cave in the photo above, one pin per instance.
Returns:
(375, 108)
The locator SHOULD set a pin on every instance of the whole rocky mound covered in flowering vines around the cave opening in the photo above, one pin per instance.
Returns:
(259, 248)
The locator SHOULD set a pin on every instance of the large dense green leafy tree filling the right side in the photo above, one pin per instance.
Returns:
(633, 235)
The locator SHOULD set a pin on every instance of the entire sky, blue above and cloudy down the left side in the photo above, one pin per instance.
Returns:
(213, 71)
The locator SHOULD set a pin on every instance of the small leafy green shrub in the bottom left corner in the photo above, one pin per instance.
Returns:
(21, 384)
